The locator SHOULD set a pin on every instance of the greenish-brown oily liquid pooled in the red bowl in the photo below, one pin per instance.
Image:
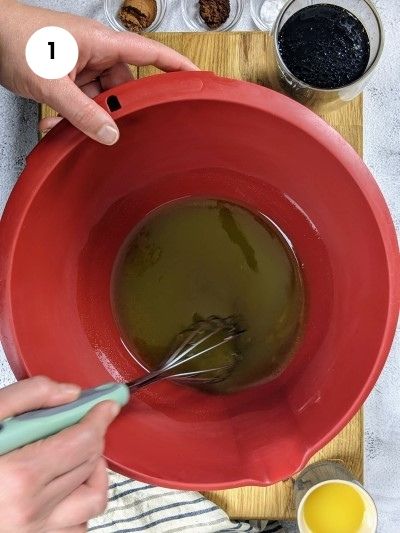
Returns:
(195, 258)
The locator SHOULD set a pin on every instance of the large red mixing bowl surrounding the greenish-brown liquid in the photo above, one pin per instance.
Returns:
(195, 134)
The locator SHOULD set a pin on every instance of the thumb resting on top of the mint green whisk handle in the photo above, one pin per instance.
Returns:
(35, 393)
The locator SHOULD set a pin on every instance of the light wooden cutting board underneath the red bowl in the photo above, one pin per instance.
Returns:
(248, 56)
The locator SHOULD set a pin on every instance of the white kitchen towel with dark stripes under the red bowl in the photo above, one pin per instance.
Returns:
(135, 507)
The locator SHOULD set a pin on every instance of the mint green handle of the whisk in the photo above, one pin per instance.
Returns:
(32, 426)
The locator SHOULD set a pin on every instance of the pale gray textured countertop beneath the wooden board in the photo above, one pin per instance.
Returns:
(18, 136)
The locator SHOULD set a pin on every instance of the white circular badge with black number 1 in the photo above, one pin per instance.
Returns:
(52, 52)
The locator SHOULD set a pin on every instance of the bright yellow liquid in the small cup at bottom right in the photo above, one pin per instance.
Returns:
(334, 508)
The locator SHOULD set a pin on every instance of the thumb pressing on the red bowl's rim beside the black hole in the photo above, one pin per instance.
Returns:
(83, 112)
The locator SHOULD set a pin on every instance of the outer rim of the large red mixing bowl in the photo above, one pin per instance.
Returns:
(186, 86)
